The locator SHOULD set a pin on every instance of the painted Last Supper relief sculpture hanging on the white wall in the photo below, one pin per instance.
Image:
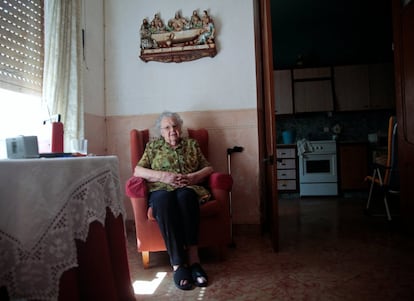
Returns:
(179, 40)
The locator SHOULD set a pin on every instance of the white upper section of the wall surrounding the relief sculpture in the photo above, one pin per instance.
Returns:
(224, 82)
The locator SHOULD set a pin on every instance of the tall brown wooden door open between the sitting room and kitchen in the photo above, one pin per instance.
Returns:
(266, 123)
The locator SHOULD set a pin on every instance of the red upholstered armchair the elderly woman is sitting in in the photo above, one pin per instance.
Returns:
(215, 221)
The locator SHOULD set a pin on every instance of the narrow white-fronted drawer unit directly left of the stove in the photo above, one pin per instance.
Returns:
(286, 168)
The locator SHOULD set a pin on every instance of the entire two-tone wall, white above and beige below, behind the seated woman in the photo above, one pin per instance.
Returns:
(121, 91)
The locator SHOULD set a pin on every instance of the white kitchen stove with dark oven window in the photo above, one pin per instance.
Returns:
(318, 175)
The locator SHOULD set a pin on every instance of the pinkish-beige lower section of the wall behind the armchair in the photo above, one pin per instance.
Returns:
(226, 129)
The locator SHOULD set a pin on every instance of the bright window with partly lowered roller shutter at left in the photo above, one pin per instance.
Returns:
(21, 69)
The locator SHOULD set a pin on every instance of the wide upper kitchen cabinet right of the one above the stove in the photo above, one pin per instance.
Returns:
(364, 87)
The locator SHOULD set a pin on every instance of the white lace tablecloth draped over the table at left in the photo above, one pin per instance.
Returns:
(45, 204)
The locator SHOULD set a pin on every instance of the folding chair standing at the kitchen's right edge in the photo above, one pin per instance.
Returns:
(385, 175)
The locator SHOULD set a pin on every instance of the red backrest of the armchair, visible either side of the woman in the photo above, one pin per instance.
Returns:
(140, 138)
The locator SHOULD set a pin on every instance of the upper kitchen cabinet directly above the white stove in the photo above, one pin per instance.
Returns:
(313, 90)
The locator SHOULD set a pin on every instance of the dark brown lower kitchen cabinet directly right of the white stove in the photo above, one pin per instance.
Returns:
(353, 165)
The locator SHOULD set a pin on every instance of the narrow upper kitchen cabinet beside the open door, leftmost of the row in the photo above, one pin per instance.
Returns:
(283, 91)
